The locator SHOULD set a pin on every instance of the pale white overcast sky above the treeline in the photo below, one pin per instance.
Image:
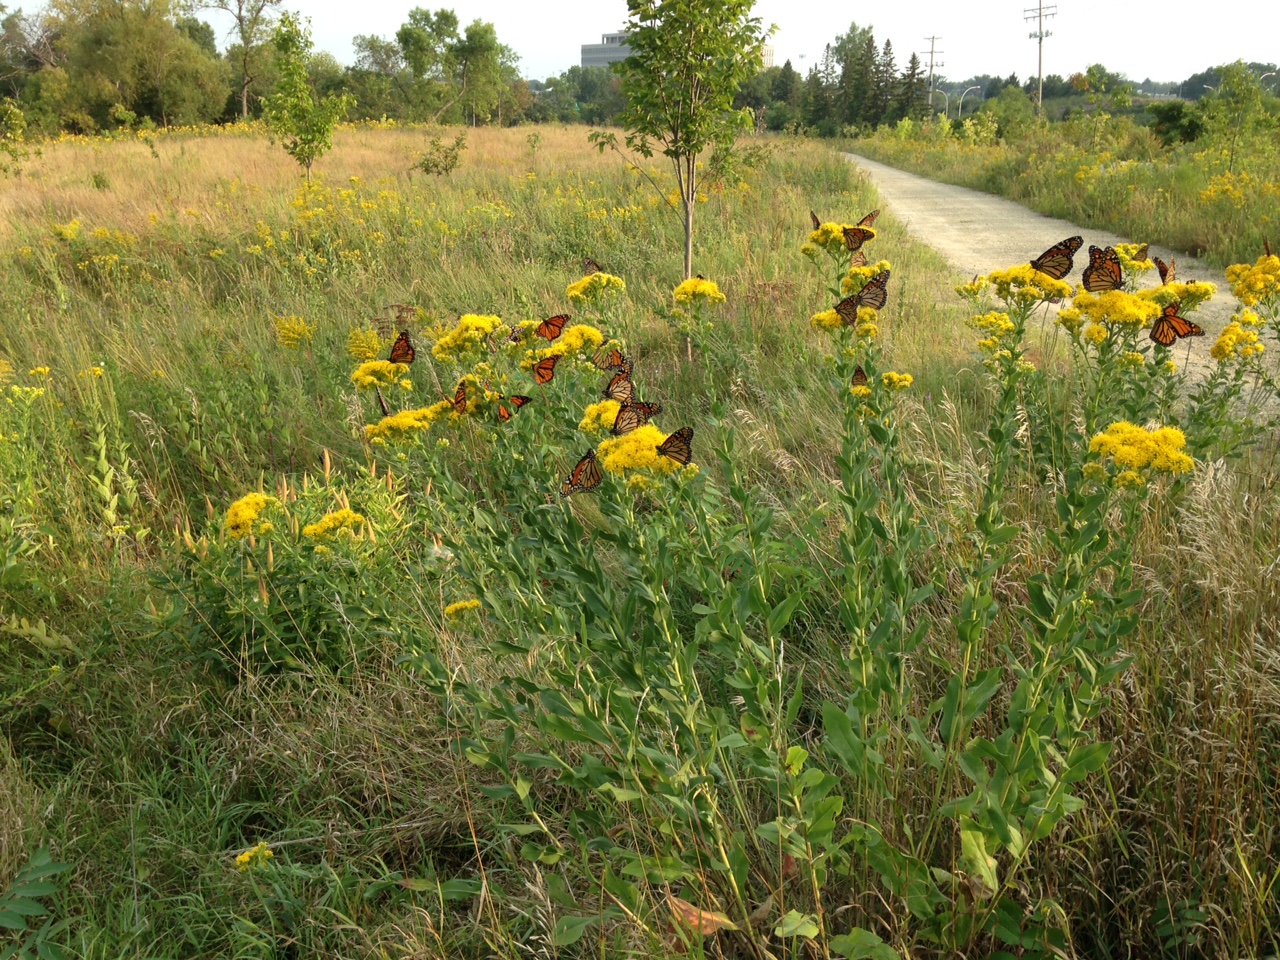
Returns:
(1167, 42)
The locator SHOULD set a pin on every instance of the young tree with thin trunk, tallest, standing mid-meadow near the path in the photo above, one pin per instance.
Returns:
(688, 61)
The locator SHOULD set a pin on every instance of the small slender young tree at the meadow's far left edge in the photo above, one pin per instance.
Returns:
(296, 115)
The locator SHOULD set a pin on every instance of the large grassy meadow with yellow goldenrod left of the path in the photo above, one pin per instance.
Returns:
(848, 685)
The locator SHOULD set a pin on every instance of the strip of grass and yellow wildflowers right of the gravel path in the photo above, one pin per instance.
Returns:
(1213, 199)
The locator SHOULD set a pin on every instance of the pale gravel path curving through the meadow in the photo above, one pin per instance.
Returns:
(979, 232)
